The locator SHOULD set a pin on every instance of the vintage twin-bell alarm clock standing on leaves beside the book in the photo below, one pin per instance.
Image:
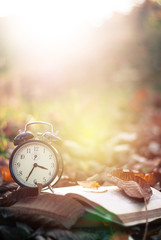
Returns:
(35, 160)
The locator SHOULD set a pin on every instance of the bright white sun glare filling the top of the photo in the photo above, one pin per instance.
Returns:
(56, 28)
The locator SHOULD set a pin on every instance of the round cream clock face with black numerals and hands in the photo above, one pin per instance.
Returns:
(34, 162)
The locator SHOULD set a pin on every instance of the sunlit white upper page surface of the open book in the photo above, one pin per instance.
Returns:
(113, 199)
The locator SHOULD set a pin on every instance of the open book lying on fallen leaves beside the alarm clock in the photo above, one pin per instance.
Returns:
(111, 199)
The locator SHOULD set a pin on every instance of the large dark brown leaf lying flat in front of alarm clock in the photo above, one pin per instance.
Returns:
(62, 210)
